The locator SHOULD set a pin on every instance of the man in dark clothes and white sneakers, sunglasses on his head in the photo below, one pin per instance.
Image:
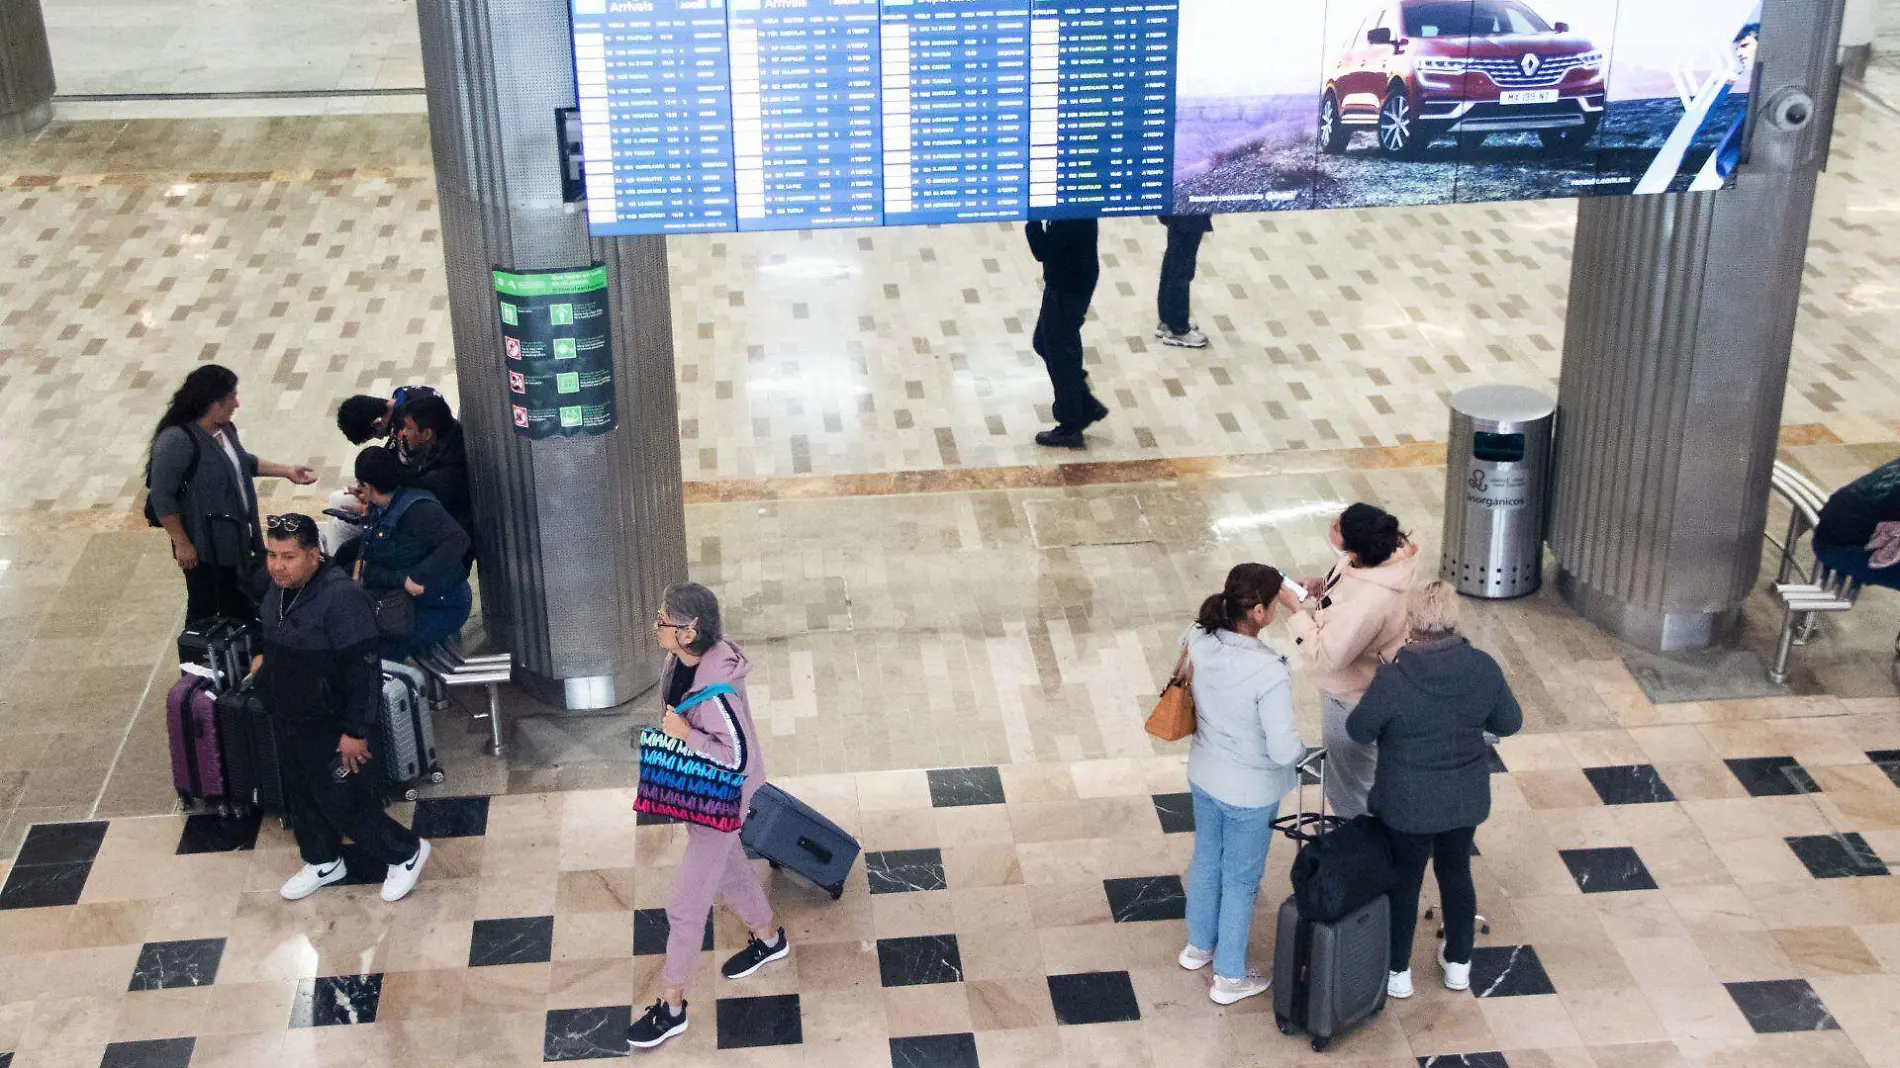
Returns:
(322, 685)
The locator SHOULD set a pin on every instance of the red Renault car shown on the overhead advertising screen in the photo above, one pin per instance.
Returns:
(1422, 69)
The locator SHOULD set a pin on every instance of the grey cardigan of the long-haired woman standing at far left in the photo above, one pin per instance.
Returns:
(214, 491)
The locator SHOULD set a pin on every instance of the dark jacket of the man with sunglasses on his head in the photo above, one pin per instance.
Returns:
(320, 657)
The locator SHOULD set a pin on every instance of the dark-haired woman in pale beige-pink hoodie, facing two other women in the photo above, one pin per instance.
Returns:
(1354, 619)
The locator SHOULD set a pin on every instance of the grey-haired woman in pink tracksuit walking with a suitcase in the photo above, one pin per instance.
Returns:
(719, 729)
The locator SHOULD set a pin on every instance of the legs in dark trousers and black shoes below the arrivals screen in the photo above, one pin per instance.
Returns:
(1071, 271)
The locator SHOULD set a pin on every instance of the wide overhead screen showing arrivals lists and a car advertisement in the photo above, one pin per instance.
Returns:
(797, 115)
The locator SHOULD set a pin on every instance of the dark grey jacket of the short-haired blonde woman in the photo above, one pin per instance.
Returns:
(1430, 710)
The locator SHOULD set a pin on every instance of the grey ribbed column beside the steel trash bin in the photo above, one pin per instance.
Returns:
(1675, 362)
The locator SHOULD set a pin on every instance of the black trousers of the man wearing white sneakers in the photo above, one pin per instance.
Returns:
(326, 807)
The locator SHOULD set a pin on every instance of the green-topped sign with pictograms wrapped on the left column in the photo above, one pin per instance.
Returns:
(558, 349)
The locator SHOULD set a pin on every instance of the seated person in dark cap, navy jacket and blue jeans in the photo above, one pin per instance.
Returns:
(411, 544)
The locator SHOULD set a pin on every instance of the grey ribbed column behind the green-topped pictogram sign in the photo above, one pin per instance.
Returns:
(579, 535)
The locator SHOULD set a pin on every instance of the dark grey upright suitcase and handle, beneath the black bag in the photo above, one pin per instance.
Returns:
(1327, 976)
